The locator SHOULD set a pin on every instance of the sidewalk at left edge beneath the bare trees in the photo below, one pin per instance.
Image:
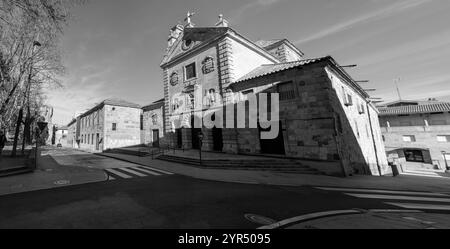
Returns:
(48, 175)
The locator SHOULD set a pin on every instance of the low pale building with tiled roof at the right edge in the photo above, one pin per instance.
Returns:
(417, 133)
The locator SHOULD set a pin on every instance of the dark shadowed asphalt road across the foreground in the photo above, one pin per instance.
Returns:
(167, 202)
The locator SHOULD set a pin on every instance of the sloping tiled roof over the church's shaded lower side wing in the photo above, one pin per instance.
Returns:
(275, 68)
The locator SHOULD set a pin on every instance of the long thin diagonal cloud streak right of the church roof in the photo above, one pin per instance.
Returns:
(393, 9)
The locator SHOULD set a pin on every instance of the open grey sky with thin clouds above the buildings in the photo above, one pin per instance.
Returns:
(113, 48)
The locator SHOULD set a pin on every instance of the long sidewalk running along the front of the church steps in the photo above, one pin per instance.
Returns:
(406, 183)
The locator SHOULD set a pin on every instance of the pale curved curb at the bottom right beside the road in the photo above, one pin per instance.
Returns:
(322, 215)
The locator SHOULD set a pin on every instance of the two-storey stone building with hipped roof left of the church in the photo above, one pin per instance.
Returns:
(113, 123)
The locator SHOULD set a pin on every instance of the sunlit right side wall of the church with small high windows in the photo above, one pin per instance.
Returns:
(359, 135)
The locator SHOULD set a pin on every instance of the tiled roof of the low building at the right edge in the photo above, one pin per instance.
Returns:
(415, 109)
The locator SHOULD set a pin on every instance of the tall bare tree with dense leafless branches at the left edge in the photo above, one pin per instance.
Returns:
(29, 58)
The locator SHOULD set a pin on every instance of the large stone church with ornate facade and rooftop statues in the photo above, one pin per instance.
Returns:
(324, 115)
